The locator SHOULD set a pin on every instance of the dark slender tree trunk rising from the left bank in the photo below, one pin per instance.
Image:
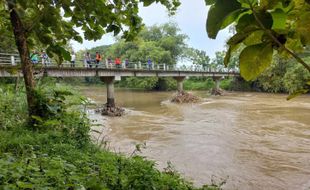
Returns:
(22, 46)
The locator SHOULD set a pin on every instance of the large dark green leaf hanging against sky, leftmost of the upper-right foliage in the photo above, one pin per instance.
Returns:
(222, 12)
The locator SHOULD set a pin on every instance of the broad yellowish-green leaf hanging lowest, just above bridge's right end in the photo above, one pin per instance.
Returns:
(254, 60)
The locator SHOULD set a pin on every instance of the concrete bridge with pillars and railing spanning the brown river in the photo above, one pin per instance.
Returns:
(108, 73)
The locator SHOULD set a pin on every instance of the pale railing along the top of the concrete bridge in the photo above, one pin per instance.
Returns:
(13, 59)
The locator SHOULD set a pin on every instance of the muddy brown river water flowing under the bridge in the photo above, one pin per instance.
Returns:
(249, 140)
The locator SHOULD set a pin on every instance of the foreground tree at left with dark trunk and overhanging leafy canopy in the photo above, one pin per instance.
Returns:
(54, 23)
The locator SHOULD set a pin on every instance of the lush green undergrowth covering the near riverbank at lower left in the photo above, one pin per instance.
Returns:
(57, 152)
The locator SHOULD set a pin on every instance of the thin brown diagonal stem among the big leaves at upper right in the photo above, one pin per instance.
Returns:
(276, 40)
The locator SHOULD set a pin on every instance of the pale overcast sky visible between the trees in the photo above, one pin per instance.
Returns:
(191, 18)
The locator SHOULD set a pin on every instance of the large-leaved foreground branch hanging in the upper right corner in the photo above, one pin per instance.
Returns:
(262, 27)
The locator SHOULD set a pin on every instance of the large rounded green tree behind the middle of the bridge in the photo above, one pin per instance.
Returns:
(161, 43)
